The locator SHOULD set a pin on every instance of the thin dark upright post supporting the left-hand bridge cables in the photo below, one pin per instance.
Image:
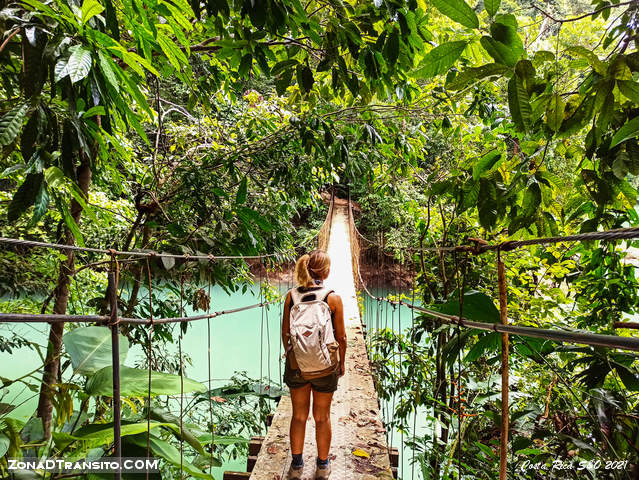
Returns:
(115, 350)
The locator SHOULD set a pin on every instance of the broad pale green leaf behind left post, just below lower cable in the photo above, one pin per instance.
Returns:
(90, 348)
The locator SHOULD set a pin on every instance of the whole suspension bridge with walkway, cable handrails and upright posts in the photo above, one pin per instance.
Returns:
(359, 448)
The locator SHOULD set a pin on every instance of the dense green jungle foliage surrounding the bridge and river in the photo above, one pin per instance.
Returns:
(205, 127)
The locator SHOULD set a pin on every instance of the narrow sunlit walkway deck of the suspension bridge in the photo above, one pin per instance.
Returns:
(355, 415)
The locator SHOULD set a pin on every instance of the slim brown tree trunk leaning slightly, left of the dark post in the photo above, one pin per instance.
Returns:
(54, 347)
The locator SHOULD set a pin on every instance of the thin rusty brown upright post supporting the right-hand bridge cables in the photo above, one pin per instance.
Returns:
(503, 313)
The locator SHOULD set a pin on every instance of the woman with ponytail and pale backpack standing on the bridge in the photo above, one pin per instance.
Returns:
(314, 339)
